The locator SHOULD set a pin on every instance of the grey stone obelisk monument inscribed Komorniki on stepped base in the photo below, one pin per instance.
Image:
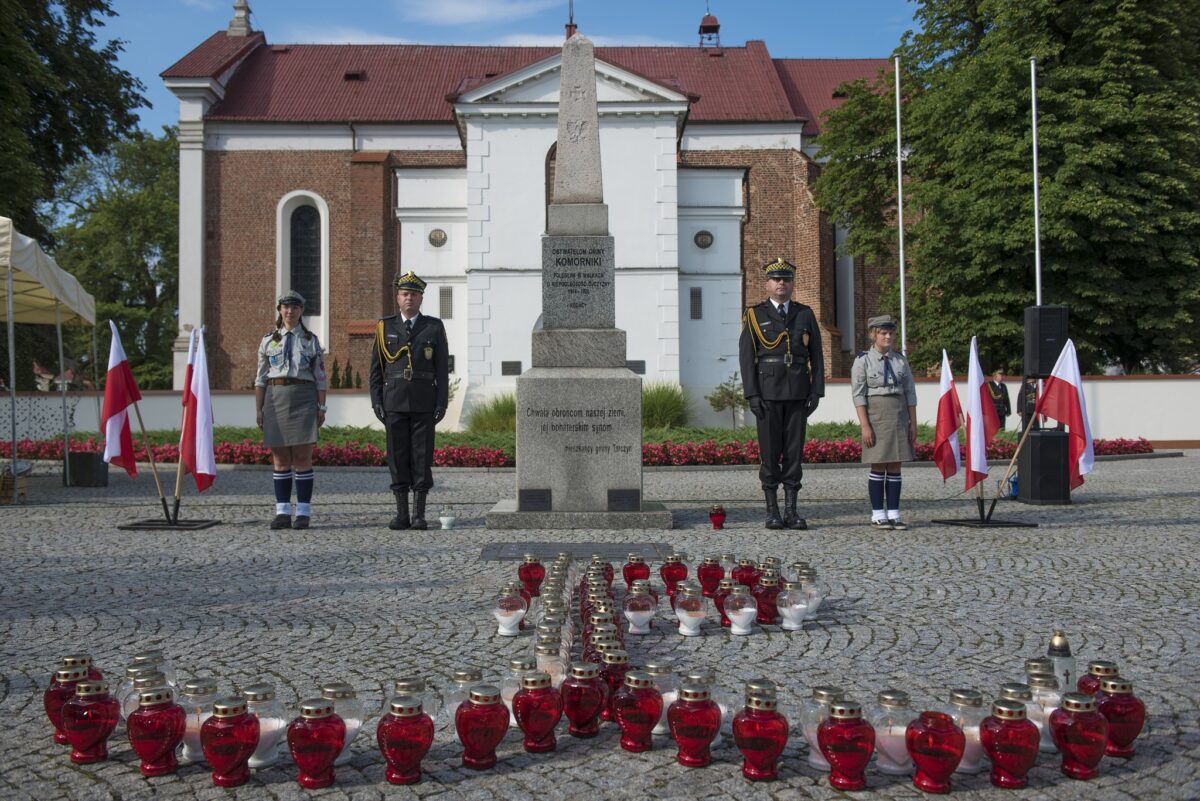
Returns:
(579, 407)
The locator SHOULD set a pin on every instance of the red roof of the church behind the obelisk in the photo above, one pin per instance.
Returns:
(411, 83)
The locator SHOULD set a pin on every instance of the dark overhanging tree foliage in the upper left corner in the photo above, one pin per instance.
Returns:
(62, 99)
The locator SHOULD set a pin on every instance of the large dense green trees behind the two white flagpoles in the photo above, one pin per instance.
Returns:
(1119, 124)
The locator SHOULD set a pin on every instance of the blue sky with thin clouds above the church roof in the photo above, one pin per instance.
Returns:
(158, 33)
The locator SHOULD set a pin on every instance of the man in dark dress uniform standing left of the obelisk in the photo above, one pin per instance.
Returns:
(410, 394)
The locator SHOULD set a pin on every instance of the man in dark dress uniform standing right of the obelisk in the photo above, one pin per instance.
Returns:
(784, 381)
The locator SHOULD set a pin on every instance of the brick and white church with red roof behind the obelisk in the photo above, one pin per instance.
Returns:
(333, 168)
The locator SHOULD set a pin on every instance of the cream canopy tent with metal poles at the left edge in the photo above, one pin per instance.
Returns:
(37, 291)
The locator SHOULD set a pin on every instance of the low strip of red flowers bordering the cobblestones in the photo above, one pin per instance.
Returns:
(461, 456)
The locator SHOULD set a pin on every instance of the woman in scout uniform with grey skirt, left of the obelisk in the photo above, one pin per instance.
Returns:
(290, 396)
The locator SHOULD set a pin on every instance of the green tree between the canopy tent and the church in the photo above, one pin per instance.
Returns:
(121, 239)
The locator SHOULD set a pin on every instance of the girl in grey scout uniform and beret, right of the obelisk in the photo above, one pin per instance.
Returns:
(886, 401)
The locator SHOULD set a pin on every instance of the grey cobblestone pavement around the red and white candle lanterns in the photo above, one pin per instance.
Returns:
(925, 611)
